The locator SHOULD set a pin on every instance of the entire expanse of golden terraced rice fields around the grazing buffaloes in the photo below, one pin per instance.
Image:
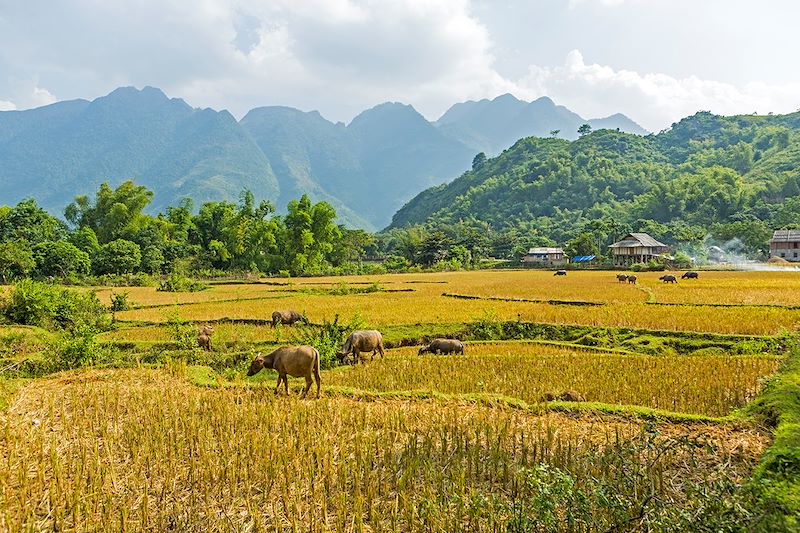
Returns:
(677, 411)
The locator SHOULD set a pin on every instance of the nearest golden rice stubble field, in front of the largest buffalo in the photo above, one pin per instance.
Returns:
(77, 457)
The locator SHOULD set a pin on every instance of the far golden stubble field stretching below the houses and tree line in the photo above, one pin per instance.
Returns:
(760, 303)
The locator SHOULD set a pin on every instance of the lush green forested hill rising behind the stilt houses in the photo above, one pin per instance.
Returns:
(706, 172)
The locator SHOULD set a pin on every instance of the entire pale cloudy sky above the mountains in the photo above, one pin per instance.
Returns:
(653, 60)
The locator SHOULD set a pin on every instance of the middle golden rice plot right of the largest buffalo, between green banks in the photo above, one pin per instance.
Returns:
(709, 385)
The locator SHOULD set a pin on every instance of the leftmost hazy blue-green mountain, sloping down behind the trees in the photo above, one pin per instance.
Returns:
(71, 147)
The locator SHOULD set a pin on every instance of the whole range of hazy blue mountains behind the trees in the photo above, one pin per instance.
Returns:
(367, 169)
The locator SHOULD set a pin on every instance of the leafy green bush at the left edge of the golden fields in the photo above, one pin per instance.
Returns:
(53, 307)
